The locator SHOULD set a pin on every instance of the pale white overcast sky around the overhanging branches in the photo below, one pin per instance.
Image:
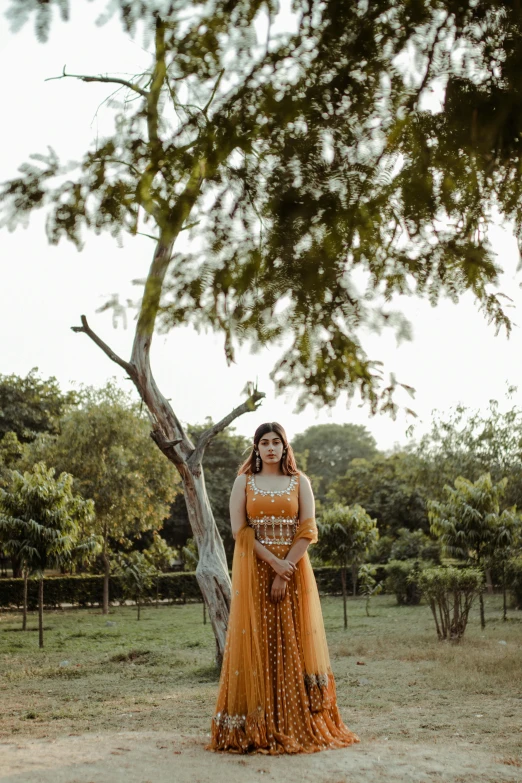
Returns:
(454, 356)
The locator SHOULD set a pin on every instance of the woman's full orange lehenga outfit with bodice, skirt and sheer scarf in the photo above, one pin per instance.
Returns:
(276, 691)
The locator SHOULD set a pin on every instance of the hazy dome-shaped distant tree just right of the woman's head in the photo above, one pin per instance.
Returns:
(330, 448)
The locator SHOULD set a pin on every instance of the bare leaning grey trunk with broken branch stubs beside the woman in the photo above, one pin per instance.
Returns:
(167, 431)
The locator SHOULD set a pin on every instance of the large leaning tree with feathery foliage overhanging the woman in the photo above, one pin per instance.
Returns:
(314, 179)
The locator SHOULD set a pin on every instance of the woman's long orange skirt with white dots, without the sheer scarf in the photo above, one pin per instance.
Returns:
(300, 712)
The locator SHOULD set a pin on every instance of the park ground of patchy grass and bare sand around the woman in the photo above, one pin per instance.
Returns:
(110, 700)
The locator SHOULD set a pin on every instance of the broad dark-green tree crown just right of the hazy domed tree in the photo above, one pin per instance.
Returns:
(387, 488)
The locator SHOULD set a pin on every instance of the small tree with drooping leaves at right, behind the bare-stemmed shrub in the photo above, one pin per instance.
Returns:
(468, 521)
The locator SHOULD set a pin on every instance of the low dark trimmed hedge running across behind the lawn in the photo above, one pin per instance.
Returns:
(87, 590)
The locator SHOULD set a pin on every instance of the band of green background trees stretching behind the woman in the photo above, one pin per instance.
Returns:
(399, 509)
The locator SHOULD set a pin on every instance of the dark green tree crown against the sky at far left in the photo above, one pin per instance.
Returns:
(32, 405)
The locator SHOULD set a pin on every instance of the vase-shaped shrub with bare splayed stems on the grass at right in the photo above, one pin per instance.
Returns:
(450, 593)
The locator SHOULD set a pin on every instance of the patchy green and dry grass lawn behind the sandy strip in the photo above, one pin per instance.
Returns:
(395, 680)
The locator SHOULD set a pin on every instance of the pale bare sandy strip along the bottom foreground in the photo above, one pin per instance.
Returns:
(158, 757)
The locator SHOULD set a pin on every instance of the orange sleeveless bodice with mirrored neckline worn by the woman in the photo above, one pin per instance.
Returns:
(274, 514)
